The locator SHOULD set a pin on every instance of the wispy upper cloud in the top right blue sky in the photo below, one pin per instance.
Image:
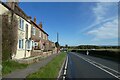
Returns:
(102, 13)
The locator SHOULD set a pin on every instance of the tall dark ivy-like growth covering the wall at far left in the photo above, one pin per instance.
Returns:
(9, 35)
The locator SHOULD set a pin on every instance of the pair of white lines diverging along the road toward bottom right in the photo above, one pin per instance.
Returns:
(93, 63)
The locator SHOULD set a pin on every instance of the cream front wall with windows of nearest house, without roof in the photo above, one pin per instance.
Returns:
(24, 45)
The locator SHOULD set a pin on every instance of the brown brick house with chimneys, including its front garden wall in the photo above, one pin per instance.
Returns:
(39, 38)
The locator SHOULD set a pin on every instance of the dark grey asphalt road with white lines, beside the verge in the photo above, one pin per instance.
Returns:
(85, 66)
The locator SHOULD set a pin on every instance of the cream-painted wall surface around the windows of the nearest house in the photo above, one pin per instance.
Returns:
(22, 53)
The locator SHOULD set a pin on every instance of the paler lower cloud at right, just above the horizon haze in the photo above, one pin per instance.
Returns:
(108, 30)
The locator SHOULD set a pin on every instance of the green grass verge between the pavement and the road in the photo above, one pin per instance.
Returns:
(51, 70)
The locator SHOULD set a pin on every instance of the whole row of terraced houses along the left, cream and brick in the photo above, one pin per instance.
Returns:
(32, 39)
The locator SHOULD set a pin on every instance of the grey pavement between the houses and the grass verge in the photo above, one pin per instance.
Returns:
(23, 73)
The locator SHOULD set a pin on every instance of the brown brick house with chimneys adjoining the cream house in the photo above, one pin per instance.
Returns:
(39, 36)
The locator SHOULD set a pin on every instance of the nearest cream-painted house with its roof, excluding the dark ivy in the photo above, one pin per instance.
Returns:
(24, 45)
